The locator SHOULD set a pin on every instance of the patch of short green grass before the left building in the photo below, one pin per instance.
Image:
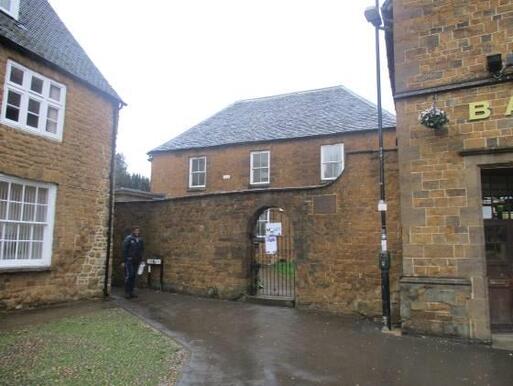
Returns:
(108, 346)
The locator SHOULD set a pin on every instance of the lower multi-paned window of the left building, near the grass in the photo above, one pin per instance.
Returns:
(26, 222)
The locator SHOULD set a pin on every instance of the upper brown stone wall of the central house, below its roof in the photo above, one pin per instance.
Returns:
(293, 163)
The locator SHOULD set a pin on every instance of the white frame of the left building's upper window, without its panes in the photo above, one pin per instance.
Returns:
(44, 99)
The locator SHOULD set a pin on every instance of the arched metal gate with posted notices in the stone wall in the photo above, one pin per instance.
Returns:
(273, 274)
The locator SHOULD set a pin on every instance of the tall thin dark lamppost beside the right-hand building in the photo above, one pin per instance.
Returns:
(373, 16)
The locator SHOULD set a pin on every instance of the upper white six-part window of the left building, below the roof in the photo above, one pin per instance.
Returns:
(27, 102)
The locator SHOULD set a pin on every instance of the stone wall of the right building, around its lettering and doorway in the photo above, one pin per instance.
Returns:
(444, 290)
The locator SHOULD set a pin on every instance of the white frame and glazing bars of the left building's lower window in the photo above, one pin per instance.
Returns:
(46, 255)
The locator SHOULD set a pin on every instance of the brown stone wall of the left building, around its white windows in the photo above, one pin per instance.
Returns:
(79, 166)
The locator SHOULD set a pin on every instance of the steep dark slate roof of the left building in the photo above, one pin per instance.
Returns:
(40, 31)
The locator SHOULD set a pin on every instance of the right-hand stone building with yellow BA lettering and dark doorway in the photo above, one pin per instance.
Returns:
(457, 181)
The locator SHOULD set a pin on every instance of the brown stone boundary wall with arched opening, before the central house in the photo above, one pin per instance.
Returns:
(206, 240)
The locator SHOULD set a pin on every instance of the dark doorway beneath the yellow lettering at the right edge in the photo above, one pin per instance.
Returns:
(497, 185)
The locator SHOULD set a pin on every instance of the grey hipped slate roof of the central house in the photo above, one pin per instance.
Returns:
(324, 111)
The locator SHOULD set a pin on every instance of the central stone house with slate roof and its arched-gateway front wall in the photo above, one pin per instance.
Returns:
(307, 161)
